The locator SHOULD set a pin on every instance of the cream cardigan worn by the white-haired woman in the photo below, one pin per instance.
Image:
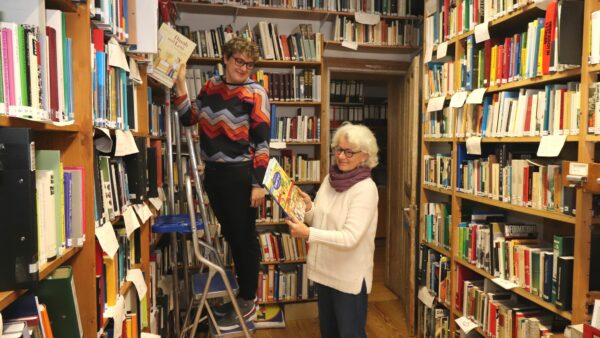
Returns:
(342, 236)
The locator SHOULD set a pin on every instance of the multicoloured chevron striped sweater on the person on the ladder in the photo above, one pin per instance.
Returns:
(234, 123)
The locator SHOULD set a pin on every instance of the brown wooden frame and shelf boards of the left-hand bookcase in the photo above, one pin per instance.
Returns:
(75, 143)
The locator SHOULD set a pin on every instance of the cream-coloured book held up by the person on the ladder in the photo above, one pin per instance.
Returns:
(174, 49)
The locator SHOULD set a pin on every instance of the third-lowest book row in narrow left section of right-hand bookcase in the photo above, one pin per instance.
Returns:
(437, 219)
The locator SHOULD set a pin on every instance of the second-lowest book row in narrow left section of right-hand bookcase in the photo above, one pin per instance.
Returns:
(434, 274)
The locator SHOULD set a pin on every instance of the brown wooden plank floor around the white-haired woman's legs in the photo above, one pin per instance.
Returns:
(385, 315)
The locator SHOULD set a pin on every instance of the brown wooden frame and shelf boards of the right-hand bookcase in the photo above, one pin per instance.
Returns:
(552, 222)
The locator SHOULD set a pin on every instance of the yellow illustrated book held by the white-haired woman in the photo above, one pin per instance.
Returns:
(283, 190)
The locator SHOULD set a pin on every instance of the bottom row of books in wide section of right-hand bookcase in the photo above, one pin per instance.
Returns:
(500, 314)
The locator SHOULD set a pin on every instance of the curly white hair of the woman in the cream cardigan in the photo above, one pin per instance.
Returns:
(361, 138)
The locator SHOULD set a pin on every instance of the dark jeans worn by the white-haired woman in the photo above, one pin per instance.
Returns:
(341, 314)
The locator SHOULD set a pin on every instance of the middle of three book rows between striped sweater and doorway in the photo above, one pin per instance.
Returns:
(299, 128)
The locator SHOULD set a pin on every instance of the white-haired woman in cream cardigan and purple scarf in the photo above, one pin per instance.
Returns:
(341, 236)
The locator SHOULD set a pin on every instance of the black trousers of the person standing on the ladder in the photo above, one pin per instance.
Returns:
(229, 188)
